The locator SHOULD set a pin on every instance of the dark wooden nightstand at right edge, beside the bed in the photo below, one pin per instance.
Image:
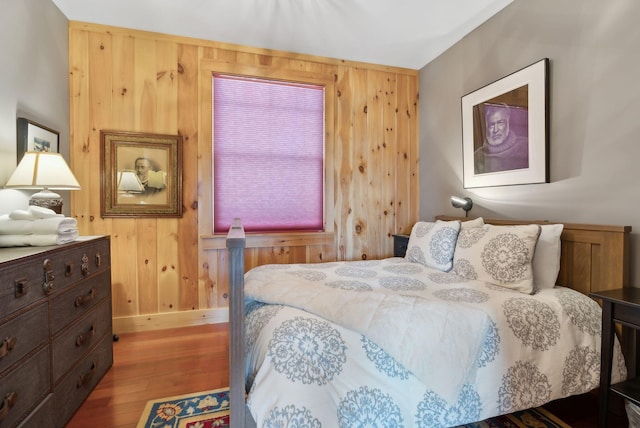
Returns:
(622, 306)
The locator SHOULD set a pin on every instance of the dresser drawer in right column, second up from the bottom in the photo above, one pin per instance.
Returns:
(73, 342)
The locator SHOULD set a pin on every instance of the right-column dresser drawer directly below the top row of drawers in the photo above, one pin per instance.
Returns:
(73, 303)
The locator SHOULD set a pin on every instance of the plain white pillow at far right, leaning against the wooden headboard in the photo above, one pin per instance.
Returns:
(546, 259)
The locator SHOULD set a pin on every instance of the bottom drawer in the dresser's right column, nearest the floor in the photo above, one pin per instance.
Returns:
(74, 388)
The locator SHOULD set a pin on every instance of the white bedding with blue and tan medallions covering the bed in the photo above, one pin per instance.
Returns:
(369, 343)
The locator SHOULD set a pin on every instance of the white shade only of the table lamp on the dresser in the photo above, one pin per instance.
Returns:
(38, 170)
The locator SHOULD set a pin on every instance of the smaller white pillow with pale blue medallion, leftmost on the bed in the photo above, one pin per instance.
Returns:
(432, 244)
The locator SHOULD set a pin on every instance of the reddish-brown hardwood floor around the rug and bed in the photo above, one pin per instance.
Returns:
(163, 363)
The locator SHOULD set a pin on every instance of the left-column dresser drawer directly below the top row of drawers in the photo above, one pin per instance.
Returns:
(22, 332)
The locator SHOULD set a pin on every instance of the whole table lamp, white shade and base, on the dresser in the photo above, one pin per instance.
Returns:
(44, 171)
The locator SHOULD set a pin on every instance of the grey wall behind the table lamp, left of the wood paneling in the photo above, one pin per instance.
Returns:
(34, 52)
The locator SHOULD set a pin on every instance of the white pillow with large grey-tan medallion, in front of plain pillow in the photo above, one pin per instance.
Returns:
(500, 255)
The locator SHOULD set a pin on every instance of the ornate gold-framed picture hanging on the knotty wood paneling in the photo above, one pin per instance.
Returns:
(141, 174)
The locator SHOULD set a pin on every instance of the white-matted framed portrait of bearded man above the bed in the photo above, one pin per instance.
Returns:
(505, 130)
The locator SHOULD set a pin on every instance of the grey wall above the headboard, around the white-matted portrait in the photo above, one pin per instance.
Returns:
(594, 52)
